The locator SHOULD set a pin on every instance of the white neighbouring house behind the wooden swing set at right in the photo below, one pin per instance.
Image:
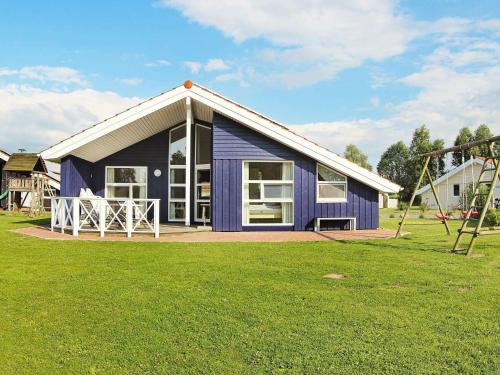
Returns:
(451, 186)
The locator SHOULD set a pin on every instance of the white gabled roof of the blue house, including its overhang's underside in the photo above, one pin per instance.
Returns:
(169, 109)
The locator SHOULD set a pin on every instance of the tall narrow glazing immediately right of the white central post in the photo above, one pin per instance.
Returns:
(203, 151)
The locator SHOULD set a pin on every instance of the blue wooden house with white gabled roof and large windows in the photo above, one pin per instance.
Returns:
(210, 159)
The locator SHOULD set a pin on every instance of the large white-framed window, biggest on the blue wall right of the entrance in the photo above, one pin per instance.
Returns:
(267, 193)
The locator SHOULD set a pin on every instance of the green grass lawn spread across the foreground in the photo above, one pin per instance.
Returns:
(404, 306)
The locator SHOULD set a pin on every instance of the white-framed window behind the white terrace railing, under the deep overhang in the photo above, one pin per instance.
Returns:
(126, 182)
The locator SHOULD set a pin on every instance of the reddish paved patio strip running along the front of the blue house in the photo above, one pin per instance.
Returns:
(206, 236)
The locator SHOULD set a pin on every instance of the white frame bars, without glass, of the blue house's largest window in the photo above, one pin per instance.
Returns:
(267, 200)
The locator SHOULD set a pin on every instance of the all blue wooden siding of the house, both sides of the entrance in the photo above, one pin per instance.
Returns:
(232, 143)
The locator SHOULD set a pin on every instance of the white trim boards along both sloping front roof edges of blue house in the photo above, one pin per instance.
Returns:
(233, 110)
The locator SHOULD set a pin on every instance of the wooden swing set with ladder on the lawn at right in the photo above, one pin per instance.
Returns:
(470, 210)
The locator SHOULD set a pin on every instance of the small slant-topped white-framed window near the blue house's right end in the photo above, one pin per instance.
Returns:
(331, 185)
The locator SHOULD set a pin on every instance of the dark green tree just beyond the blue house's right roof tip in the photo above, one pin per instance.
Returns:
(392, 164)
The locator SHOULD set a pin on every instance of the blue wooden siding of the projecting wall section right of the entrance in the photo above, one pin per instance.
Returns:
(233, 143)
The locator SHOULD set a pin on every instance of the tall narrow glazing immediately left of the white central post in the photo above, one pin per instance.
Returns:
(177, 174)
